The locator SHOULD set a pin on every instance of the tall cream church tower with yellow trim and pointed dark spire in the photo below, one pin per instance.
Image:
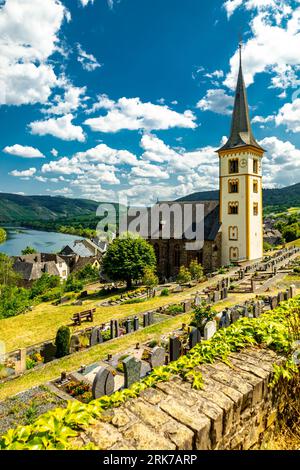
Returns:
(241, 204)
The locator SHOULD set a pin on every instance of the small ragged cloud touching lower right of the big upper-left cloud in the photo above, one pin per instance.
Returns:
(71, 101)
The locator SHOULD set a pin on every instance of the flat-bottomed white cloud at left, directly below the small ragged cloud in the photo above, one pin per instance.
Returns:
(61, 128)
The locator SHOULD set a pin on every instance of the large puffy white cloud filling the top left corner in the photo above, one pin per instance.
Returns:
(29, 36)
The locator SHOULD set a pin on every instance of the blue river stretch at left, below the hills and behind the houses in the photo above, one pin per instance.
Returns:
(43, 242)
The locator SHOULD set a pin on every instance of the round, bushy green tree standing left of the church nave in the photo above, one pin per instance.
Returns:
(127, 257)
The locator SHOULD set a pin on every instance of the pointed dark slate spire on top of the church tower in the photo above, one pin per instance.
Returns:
(241, 132)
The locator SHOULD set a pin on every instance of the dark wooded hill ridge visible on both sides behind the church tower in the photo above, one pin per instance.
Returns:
(283, 197)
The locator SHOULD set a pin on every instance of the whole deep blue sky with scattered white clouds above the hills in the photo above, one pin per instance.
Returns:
(133, 97)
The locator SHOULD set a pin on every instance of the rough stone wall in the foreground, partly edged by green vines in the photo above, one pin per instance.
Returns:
(233, 411)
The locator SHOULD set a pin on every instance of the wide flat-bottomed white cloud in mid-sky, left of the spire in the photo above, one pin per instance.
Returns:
(133, 114)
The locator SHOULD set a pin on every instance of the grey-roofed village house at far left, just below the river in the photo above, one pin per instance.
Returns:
(32, 267)
